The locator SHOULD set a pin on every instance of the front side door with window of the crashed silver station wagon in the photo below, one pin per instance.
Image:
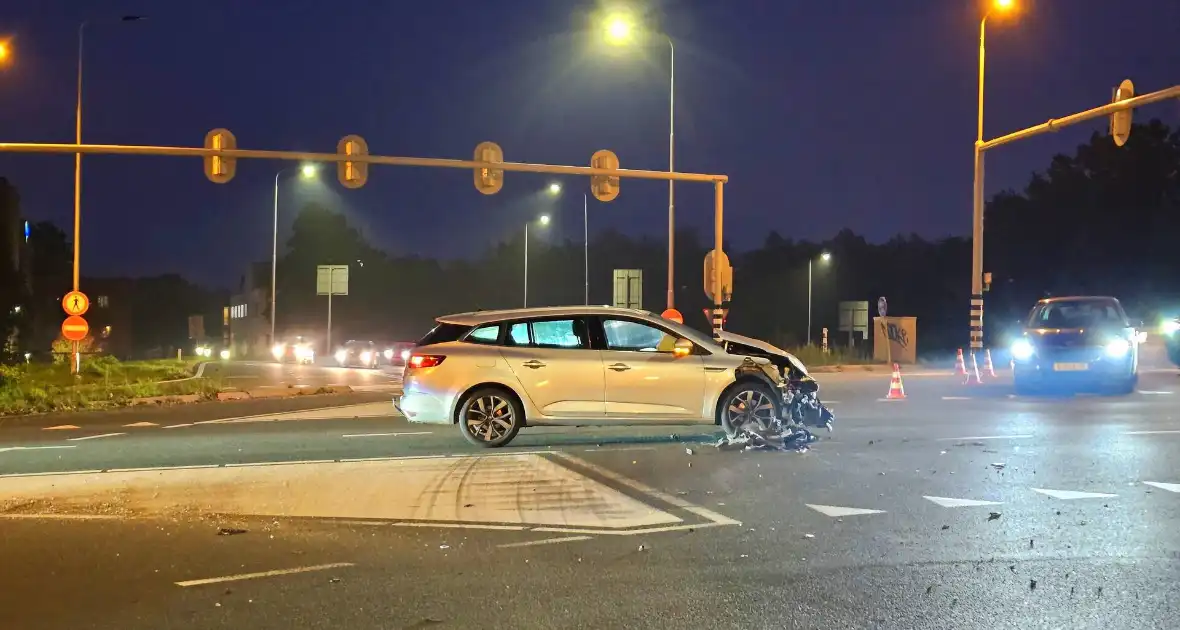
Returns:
(645, 378)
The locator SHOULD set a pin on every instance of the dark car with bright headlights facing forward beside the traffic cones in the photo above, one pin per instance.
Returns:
(1077, 342)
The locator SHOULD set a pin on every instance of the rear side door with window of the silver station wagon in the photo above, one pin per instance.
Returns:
(556, 366)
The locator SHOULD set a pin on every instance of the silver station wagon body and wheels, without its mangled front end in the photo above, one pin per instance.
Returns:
(494, 373)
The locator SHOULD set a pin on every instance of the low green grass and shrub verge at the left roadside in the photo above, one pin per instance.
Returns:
(103, 383)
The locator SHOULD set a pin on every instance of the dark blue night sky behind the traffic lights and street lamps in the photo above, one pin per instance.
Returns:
(825, 115)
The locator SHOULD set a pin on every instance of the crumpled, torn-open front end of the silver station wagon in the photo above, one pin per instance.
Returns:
(799, 411)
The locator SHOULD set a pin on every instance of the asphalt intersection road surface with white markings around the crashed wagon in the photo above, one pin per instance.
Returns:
(961, 507)
